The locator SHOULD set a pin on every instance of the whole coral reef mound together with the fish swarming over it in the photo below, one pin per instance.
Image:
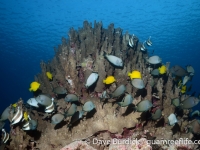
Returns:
(103, 85)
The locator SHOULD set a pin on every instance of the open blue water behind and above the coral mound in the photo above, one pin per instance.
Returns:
(29, 29)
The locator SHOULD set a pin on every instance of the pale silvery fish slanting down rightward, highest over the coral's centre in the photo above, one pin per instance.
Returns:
(116, 61)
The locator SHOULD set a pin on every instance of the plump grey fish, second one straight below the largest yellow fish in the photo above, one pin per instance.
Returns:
(144, 105)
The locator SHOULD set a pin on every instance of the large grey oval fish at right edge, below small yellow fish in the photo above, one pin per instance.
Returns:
(189, 103)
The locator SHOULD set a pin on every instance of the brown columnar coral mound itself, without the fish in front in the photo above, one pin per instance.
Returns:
(75, 59)
